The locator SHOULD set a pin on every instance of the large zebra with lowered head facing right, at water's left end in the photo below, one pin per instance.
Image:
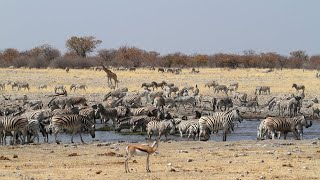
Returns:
(75, 123)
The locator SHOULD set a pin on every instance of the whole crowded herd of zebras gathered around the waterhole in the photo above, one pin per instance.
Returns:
(150, 111)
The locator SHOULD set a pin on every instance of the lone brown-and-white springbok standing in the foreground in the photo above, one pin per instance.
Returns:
(140, 150)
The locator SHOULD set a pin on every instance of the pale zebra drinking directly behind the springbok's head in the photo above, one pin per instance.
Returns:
(162, 127)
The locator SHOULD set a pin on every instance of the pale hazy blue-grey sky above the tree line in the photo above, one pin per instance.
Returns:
(165, 26)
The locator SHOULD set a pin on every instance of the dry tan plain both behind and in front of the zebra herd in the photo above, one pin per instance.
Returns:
(268, 159)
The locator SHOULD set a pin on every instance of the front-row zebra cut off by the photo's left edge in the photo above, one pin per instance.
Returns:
(14, 124)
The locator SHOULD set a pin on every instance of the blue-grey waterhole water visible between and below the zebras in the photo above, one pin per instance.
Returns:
(247, 130)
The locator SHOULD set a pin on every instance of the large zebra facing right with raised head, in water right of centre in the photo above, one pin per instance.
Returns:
(219, 121)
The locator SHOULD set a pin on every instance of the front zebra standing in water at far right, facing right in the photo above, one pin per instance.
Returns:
(285, 125)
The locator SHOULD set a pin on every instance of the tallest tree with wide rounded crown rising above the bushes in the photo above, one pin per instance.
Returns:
(82, 45)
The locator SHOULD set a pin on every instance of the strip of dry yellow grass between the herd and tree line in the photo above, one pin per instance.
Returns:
(279, 81)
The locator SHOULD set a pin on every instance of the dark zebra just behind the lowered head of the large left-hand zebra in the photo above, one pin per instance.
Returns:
(106, 114)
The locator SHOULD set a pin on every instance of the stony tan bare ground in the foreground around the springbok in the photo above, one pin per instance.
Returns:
(175, 160)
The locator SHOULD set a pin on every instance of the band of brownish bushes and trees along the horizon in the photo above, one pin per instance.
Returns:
(79, 49)
